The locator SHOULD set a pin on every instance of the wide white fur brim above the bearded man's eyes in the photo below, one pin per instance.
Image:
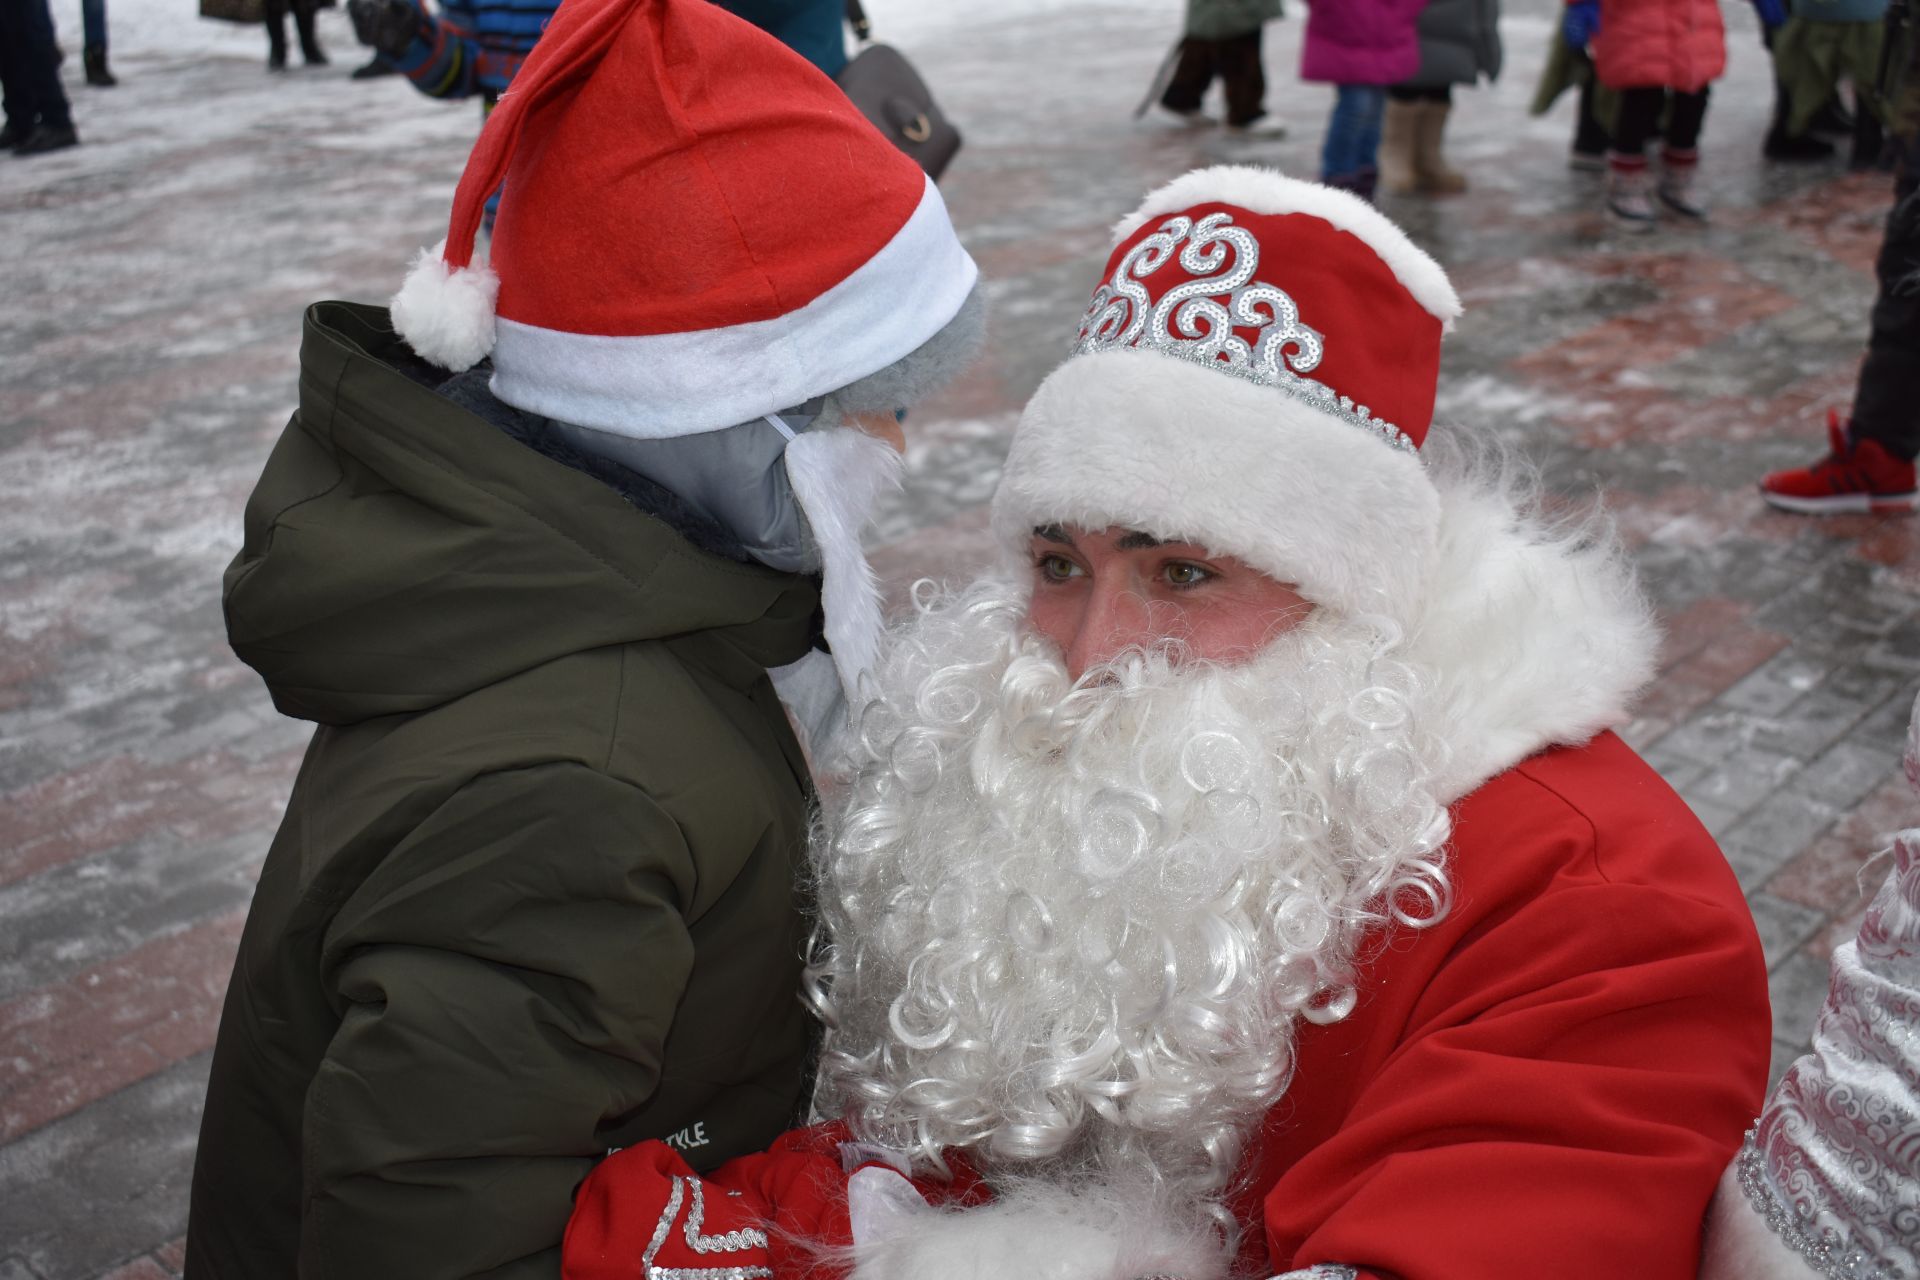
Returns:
(1188, 454)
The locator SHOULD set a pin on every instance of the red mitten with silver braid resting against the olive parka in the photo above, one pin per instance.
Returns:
(644, 1212)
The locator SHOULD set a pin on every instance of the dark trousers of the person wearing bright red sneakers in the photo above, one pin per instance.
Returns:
(1886, 406)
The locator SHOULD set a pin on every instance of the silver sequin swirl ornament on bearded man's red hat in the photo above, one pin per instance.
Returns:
(1195, 321)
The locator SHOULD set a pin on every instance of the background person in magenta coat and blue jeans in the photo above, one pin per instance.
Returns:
(1360, 47)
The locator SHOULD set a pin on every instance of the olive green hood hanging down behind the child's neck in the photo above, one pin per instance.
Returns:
(400, 552)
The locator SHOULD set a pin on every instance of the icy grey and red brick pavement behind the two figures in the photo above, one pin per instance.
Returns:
(153, 287)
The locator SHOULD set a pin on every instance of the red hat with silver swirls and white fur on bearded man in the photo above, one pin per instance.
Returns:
(1257, 375)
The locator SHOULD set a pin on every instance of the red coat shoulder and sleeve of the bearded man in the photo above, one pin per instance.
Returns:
(1550, 1081)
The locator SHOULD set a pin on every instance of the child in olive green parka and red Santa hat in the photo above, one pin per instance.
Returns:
(537, 893)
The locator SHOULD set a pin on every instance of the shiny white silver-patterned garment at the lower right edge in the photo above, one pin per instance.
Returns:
(1835, 1162)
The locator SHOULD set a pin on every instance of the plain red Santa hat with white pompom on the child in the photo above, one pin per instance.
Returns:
(696, 229)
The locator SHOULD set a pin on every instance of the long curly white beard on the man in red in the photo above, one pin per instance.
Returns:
(1078, 926)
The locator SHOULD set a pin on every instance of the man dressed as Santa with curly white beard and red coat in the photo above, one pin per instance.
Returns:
(1243, 878)
